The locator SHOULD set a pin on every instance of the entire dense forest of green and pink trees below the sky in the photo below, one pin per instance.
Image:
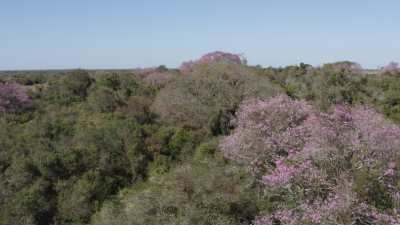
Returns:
(215, 142)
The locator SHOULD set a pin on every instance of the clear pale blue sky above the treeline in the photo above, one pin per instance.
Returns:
(42, 34)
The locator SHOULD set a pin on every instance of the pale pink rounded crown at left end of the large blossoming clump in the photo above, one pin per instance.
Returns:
(266, 127)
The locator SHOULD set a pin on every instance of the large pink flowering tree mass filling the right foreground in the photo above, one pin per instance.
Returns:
(318, 160)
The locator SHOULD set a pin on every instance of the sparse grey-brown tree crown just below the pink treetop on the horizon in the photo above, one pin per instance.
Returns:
(193, 99)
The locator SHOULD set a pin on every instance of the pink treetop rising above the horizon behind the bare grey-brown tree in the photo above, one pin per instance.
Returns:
(216, 56)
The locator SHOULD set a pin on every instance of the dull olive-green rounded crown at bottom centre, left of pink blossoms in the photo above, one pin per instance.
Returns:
(205, 193)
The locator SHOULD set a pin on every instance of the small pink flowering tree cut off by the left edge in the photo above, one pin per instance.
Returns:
(13, 98)
